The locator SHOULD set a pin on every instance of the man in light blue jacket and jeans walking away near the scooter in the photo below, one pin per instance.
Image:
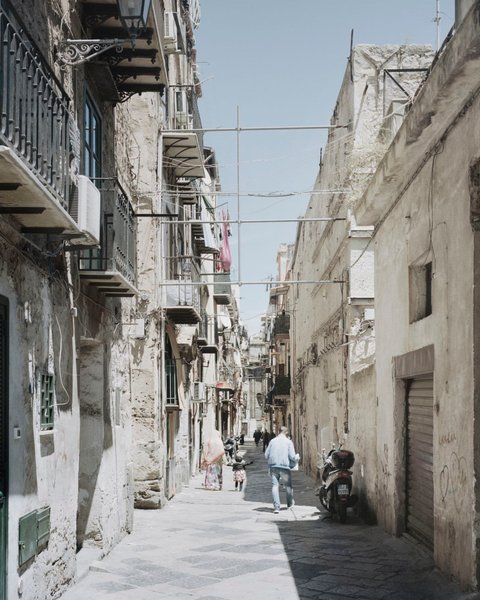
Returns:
(281, 457)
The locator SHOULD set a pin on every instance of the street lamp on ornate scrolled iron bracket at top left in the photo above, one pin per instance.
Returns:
(133, 15)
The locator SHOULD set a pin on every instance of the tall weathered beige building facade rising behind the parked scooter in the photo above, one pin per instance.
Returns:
(332, 332)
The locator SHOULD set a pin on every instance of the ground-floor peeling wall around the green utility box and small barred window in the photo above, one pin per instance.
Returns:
(43, 466)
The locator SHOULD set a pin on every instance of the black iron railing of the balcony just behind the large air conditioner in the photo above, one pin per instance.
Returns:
(118, 237)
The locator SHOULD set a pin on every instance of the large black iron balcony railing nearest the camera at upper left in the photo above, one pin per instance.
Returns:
(34, 115)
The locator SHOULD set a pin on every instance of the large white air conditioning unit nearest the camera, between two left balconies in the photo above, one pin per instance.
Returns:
(86, 207)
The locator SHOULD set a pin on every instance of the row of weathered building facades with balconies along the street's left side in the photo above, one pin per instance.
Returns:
(108, 274)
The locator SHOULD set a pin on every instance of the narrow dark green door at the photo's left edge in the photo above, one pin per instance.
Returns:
(3, 445)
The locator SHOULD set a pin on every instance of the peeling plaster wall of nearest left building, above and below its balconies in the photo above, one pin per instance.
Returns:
(84, 465)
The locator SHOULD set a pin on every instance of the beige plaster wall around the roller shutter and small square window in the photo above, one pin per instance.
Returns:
(440, 230)
